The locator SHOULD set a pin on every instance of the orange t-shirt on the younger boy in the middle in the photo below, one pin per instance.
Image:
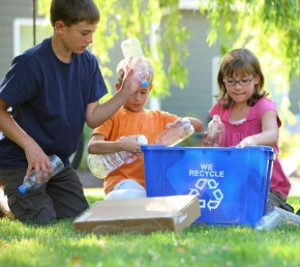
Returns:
(123, 123)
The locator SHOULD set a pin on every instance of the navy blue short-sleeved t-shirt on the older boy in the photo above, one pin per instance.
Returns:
(49, 100)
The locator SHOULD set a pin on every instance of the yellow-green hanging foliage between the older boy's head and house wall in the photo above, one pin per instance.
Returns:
(155, 23)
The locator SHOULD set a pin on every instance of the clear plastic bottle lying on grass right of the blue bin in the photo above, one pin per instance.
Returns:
(276, 217)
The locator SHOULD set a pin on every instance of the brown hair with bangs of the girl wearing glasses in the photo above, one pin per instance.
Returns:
(240, 62)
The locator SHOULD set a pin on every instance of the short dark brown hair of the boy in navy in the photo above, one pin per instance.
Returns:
(74, 11)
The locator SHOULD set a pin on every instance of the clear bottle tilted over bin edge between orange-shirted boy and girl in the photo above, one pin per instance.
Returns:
(176, 132)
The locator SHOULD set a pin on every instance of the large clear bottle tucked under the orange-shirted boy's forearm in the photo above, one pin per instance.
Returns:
(101, 165)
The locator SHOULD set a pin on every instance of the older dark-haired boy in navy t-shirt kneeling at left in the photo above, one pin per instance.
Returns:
(53, 89)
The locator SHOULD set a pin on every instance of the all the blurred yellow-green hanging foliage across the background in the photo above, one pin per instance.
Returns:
(270, 28)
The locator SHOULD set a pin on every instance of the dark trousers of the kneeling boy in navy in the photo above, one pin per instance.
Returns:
(62, 197)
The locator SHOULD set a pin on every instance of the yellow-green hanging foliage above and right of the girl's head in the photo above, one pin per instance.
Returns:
(269, 28)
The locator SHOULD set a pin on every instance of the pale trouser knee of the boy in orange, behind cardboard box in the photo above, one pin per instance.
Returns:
(127, 188)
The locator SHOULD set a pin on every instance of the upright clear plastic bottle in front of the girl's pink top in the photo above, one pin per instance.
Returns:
(216, 132)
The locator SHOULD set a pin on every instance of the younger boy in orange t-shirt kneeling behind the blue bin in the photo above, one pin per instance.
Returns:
(128, 181)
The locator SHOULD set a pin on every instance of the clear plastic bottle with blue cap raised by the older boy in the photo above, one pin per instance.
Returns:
(132, 51)
